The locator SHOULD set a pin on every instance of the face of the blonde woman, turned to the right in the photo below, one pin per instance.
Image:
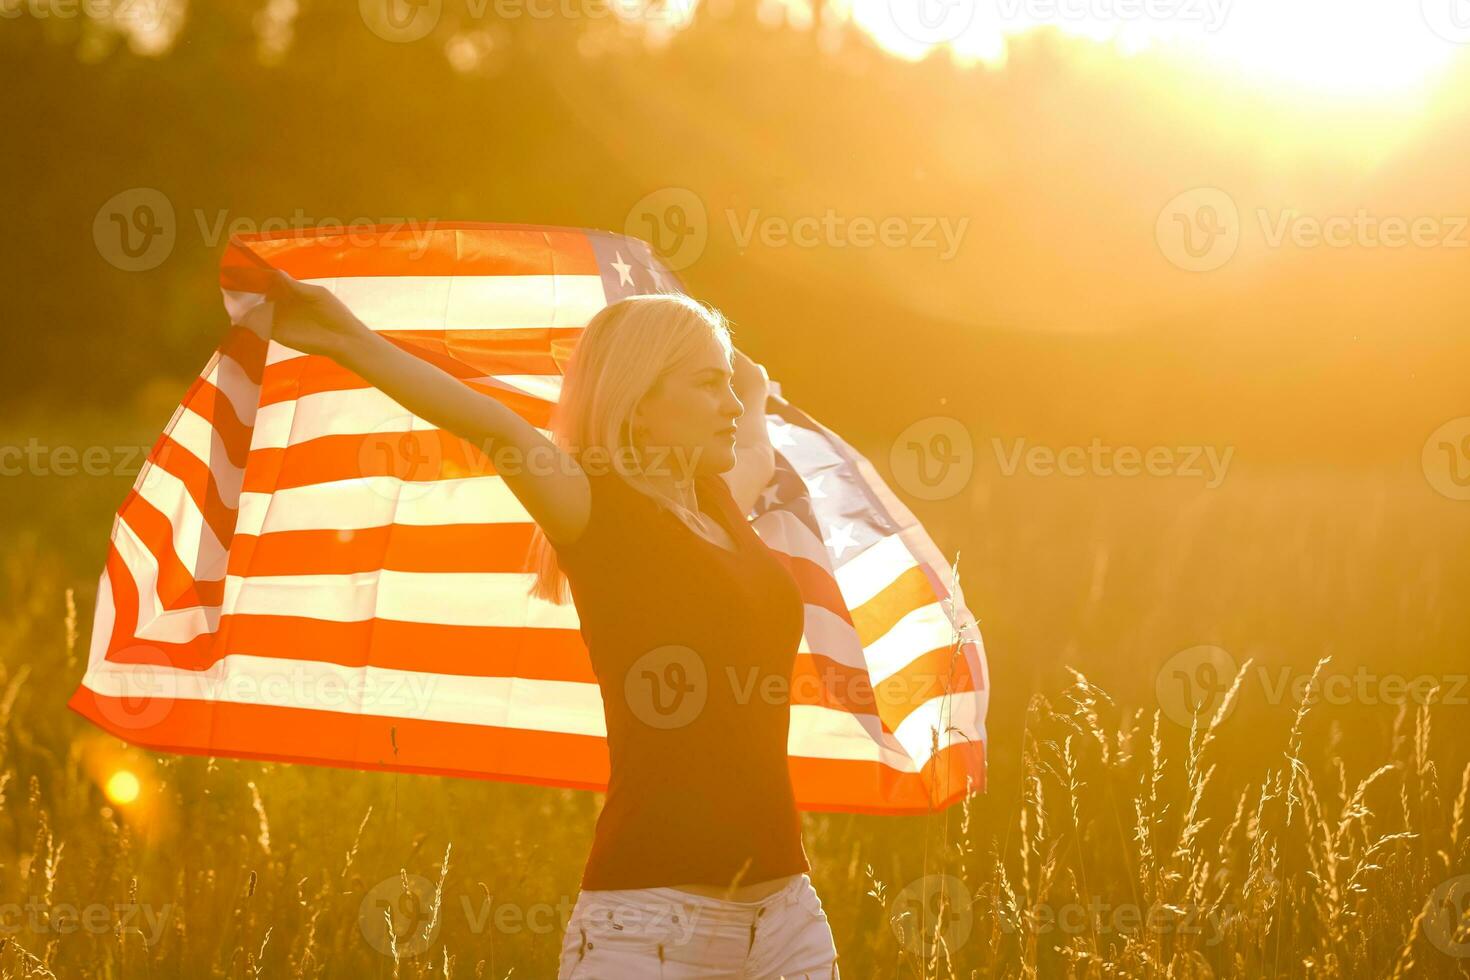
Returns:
(690, 418)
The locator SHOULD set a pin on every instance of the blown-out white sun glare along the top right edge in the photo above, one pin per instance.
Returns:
(1352, 48)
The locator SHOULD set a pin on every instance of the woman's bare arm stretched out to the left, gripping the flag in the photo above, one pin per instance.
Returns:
(548, 483)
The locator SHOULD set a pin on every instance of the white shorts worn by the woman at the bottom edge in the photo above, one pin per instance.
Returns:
(662, 934)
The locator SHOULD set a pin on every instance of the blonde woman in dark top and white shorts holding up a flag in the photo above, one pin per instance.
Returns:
(640, 500)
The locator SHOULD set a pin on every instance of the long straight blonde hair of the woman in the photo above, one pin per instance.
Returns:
(624, 353)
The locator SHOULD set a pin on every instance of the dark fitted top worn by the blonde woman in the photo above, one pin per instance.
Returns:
(693, 647)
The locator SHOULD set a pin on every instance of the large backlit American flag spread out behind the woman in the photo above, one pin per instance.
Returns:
(305, 572)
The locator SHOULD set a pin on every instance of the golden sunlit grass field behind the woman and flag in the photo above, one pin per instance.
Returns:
(1277, 837)
